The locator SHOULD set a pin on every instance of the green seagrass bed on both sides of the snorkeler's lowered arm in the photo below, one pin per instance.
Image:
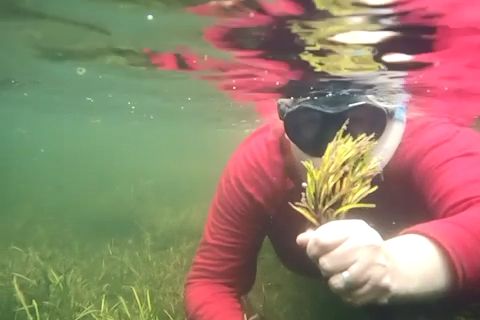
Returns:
(55, 274)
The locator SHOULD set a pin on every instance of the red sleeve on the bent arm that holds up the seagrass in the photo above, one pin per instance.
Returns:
(446, 166)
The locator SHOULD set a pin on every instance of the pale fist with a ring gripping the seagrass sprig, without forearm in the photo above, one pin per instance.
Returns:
(352, 256)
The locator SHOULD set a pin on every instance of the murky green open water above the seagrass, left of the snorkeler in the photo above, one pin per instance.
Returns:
(97, 143)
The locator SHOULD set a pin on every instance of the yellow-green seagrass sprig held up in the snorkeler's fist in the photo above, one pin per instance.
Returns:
(343, 178)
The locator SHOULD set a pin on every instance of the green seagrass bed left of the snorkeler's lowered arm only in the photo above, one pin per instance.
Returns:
(126, 280)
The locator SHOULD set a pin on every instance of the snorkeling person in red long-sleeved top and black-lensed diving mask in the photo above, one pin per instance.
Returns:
(419, 243)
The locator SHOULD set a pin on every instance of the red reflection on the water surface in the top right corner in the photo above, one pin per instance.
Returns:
(453, 80)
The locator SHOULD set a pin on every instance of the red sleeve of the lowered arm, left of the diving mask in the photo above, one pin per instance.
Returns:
(225, 263)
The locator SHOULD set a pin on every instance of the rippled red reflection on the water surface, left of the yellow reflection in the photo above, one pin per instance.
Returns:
(249, 77)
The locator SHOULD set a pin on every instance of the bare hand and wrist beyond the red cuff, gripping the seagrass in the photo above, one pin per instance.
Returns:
(406, 267)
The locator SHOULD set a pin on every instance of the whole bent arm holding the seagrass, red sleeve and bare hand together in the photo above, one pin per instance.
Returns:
(426, 260)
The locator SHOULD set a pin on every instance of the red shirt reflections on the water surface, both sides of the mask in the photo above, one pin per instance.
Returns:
(265, 55)
